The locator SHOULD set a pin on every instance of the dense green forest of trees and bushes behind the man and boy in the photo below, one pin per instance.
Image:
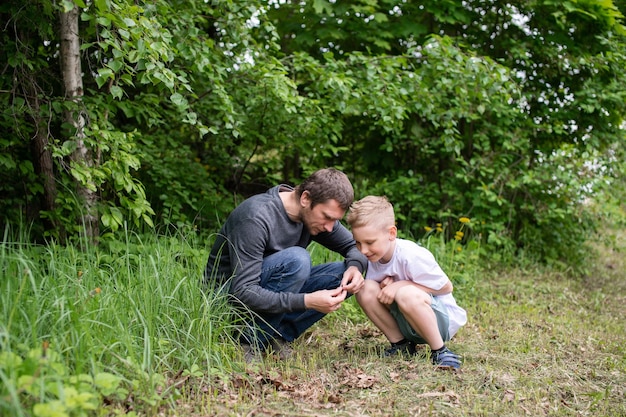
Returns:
(131, 118)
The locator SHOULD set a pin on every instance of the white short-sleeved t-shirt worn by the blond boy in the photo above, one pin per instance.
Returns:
(413, 262)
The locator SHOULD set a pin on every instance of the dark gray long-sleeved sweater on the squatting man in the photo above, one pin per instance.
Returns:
(257, 228)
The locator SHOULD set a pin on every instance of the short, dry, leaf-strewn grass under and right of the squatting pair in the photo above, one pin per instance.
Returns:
(537, 344)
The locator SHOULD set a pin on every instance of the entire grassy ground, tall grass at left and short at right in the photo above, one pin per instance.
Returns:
(125, 329)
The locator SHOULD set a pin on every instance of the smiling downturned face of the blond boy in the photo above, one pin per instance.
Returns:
(376, 243)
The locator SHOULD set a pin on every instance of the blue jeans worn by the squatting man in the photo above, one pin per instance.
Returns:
(290, 270)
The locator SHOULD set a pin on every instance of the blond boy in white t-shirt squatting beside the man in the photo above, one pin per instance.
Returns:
(406, 294)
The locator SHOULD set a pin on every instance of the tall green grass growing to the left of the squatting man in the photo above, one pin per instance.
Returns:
(106, 325)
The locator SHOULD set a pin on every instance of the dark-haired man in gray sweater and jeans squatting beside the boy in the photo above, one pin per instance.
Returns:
(262, 249)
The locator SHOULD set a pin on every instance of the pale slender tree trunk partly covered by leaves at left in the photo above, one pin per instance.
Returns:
(73, 83)
